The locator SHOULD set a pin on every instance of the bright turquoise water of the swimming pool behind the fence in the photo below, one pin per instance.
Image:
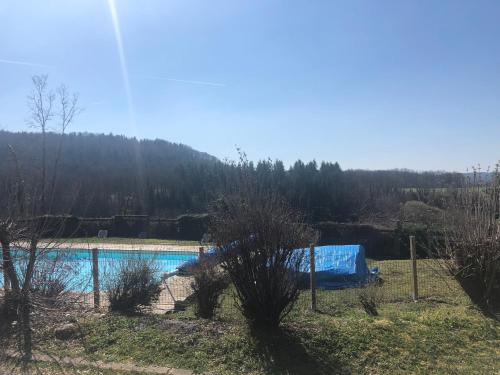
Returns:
(75, 265)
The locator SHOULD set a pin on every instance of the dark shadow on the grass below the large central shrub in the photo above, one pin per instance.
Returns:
(283, 353)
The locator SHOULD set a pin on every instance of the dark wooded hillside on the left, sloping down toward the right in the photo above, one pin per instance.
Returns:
(100, 174)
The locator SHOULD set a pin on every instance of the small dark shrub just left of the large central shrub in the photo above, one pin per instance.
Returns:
(209, 283)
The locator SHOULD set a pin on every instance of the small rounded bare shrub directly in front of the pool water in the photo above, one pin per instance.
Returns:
(135, 286)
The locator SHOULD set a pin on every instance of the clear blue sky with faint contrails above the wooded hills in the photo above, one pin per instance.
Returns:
(370, 84)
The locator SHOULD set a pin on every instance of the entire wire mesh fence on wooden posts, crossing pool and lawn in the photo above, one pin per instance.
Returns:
(89, 275)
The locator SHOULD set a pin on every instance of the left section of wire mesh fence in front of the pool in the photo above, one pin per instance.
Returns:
(88, 274)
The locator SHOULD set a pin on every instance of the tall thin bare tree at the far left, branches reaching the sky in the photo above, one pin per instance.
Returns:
(24, 224)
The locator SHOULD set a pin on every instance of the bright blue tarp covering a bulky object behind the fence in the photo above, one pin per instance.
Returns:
(339, 266)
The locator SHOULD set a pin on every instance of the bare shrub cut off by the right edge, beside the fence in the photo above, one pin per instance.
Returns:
(471, 251)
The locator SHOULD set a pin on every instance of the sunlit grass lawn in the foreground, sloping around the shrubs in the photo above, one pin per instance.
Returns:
(439, 335)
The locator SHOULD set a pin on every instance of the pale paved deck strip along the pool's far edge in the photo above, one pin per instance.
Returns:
(118, 246)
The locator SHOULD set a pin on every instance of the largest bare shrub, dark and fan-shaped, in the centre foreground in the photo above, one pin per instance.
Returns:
(256, 233)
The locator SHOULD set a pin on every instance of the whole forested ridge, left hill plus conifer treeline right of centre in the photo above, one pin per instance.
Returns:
(105, 175)
